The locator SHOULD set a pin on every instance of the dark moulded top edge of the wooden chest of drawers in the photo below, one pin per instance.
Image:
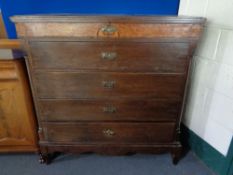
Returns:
(107, 18)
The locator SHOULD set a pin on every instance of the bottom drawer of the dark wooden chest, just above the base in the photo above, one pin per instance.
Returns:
(73, 133)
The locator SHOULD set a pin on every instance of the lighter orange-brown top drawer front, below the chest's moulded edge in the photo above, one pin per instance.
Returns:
(97, 29)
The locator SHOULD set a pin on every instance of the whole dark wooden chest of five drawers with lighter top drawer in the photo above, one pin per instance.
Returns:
(108, 84)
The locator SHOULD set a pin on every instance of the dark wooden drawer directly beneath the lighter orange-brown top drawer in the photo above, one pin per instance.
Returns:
(111, 56)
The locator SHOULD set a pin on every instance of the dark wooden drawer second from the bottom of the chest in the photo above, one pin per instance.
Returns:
(109, 110)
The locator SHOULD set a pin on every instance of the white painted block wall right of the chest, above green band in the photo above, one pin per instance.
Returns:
(209, 111)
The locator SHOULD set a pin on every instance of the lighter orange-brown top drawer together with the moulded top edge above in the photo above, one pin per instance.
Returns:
(95, 27)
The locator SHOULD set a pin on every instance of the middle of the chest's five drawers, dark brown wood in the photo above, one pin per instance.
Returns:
(105, 85)
